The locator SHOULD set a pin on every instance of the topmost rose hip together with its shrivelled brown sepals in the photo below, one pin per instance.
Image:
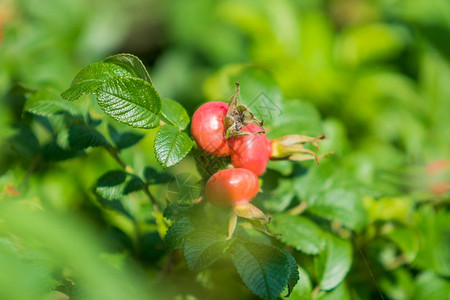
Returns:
(214, 122)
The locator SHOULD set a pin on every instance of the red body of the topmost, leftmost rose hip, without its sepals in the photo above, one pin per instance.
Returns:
(208, 129)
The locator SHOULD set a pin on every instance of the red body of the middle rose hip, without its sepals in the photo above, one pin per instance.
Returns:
(251, 152)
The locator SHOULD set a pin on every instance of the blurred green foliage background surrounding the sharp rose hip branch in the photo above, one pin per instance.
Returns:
(374, 76)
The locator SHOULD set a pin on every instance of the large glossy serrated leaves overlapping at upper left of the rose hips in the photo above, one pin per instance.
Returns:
(123, 88)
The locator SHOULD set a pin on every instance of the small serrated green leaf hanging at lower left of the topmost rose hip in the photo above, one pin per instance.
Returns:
(171, 145)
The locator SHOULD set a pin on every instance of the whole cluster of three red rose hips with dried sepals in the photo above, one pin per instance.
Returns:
(229, 129)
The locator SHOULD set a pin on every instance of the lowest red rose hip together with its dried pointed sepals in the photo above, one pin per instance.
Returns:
(235, 188)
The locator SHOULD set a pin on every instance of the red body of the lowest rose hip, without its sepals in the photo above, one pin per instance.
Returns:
(232, 187)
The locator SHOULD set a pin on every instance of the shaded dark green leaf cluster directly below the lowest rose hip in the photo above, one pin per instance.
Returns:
(264, 269)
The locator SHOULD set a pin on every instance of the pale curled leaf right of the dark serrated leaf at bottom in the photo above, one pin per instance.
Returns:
(333, 263)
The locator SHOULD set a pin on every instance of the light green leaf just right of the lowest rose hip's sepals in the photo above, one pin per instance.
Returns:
(298, 232)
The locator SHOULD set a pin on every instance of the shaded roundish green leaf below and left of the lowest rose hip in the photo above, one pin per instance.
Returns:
(202, 248)
